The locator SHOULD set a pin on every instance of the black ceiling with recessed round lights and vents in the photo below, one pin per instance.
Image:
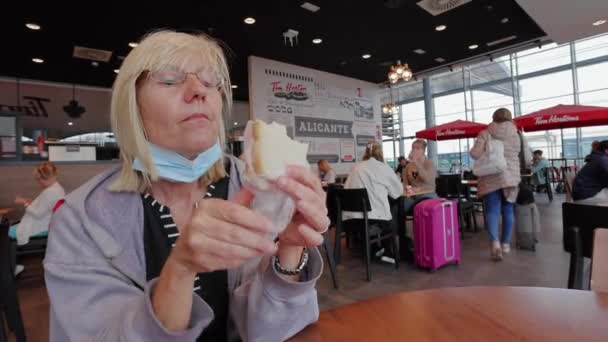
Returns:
(349, 29)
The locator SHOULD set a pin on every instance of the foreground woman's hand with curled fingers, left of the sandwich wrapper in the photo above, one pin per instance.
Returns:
(223, 235)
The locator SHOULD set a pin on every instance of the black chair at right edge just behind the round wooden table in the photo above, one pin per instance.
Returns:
(579, 223)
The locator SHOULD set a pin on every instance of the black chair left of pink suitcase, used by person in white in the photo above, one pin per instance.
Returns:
(357, 200)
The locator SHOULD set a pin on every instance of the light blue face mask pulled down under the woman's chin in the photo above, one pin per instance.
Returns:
(174, 167)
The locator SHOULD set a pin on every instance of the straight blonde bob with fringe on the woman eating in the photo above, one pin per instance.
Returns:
(157, 51)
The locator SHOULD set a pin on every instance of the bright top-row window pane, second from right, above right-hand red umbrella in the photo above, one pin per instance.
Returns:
(539, 59)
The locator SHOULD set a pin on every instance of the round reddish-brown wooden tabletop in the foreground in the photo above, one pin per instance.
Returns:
(468, 314)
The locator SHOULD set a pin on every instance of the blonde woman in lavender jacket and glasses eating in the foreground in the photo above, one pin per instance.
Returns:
(164, 248)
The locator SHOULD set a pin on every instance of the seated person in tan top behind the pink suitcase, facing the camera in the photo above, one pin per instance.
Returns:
(420, 174)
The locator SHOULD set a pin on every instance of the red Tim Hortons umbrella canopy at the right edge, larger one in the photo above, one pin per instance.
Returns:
(563, 116)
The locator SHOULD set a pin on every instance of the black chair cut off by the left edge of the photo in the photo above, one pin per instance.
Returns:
(9, 301)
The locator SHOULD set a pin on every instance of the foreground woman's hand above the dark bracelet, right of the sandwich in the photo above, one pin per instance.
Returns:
(310, 220)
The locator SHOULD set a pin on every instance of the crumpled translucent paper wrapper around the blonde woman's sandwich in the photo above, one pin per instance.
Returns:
(269, 200)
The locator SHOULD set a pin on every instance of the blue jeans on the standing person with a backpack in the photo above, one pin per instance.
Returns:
(493, 202)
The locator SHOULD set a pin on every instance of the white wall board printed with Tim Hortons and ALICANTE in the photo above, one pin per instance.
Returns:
(337, 116)
